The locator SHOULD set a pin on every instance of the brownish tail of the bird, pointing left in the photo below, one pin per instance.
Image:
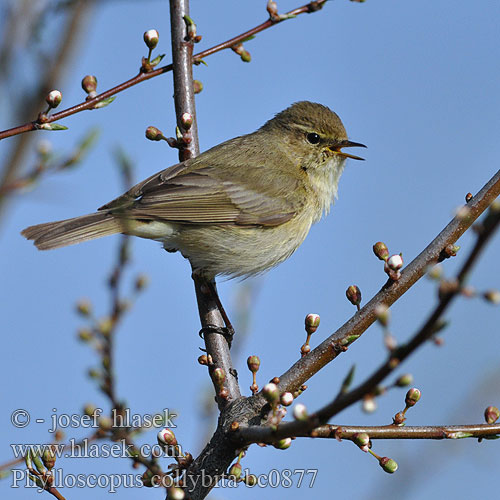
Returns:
(71, 231)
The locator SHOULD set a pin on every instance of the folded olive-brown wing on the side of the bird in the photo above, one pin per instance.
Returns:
(197, 196)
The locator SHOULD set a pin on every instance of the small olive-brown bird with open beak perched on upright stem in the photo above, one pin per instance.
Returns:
(237, 209)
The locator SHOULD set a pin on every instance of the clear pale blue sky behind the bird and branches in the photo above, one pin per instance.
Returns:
(418, 84)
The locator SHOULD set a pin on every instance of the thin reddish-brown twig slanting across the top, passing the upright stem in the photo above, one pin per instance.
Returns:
(143, 76)
